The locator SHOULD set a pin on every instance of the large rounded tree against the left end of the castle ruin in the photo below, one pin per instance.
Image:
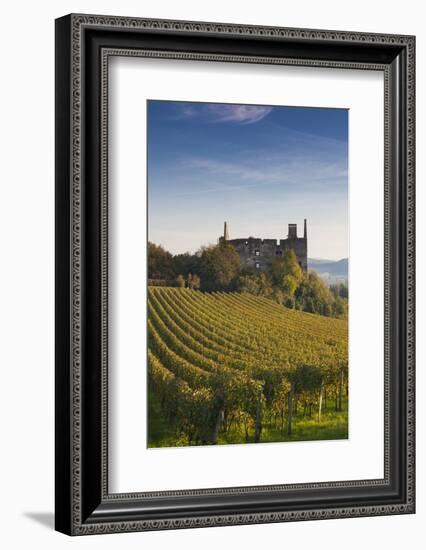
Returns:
(219, 266)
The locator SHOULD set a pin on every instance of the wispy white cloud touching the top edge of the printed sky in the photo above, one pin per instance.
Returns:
(211, 113)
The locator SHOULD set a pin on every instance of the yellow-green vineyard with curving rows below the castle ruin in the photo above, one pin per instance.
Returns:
(236, 368)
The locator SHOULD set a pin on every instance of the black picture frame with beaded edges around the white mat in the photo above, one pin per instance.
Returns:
(83, 45)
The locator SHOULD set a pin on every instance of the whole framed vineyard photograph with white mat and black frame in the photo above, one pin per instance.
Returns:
(234, 274)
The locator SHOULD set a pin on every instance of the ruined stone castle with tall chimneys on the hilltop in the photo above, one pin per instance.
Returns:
(259, 253)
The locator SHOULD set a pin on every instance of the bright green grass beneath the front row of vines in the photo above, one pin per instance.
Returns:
(333, 425)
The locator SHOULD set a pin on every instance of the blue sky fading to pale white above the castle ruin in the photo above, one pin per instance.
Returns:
(257, 167)
